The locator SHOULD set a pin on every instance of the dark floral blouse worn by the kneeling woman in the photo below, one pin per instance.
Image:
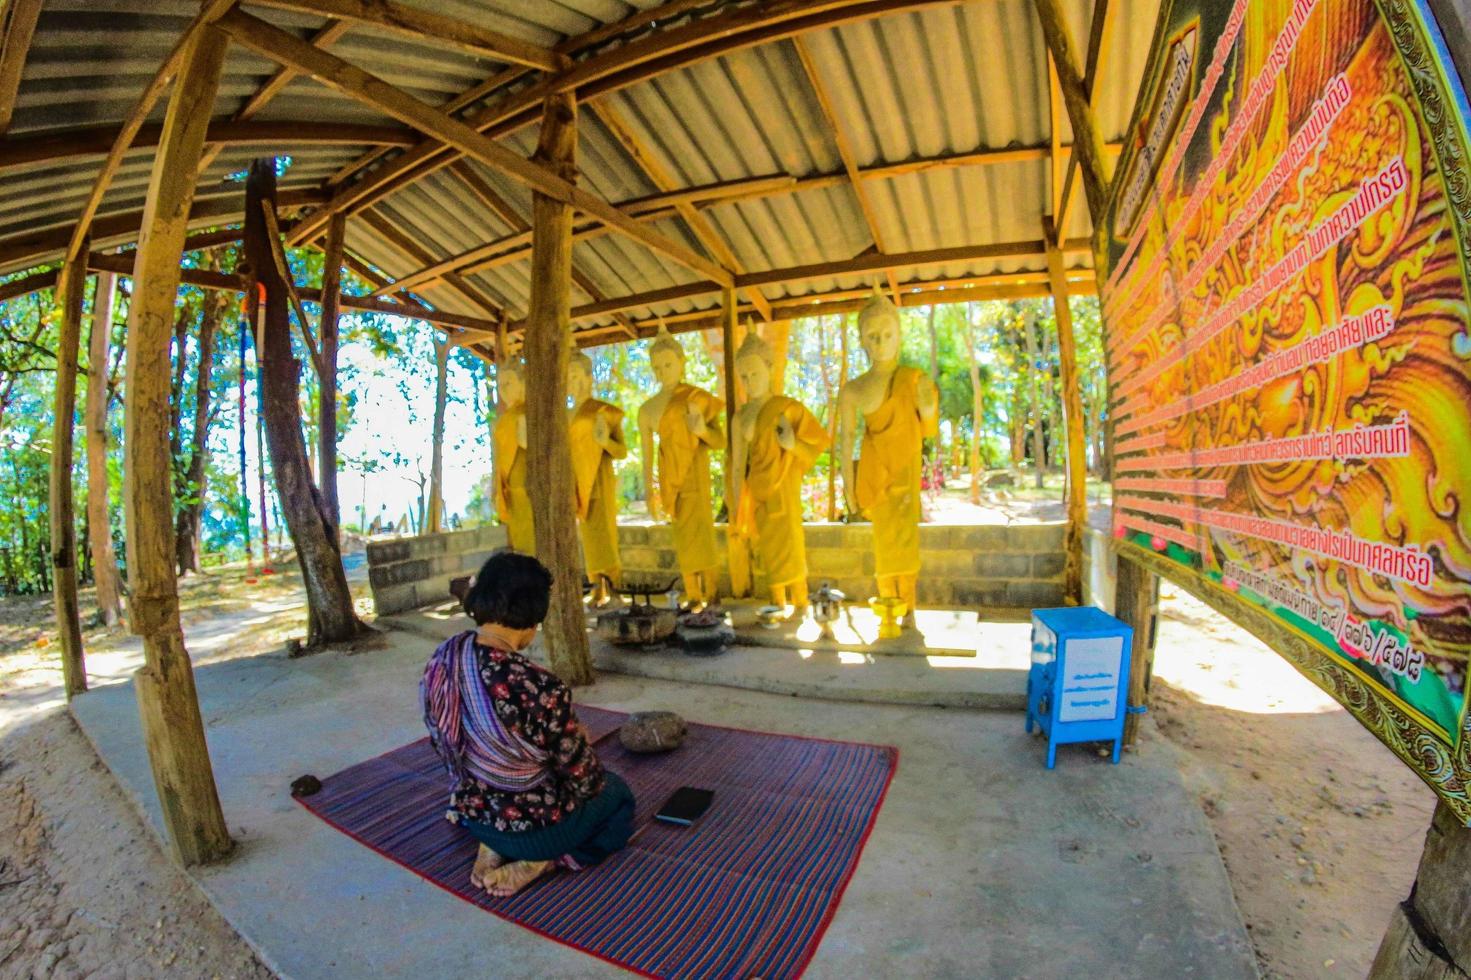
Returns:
(536, 707)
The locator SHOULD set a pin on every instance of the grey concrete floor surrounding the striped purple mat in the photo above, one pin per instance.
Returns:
(982, 864)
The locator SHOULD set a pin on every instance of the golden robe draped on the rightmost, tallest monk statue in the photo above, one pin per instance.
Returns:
(889, 466)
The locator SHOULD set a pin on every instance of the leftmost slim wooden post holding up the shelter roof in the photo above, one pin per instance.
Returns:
(63, 507)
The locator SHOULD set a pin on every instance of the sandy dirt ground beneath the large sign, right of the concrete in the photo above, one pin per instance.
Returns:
(1322, 828)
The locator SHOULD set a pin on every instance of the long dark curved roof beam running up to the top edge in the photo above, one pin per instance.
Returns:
(617, 68)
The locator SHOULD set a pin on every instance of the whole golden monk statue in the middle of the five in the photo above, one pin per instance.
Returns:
(688, 425)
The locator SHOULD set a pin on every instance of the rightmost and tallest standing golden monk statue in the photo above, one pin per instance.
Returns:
(900, 407)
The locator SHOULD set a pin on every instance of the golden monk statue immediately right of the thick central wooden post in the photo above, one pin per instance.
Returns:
(596, 435)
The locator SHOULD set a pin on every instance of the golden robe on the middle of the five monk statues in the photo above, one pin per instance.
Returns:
(685, 477)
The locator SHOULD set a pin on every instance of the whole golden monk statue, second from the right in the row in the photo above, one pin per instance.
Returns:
(776, 442)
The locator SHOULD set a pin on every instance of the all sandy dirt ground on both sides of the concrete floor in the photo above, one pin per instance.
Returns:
(1320, 826)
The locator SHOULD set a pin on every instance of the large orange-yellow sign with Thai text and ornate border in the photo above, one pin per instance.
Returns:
(1289, 351)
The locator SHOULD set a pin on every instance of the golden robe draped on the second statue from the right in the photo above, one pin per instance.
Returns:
(772, 495)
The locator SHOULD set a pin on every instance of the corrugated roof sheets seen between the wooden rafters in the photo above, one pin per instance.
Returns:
(945, 80)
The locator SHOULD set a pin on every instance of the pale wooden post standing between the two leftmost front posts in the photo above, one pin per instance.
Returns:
(99, 516)
